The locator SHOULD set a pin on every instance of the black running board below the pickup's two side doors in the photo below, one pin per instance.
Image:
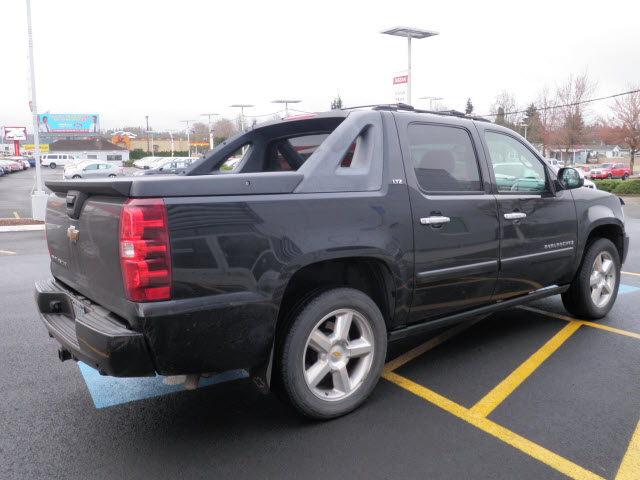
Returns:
(458, 317)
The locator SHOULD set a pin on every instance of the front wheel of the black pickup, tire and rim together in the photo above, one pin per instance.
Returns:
(593, 302)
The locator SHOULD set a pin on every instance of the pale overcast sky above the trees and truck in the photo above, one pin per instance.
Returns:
(174, 60)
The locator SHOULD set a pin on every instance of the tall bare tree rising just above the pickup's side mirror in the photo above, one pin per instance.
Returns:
(571, 130)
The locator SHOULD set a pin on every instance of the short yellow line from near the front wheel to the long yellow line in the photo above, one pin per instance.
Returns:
(496, 396)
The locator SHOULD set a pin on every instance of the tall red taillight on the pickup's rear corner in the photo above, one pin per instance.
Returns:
(144, 250)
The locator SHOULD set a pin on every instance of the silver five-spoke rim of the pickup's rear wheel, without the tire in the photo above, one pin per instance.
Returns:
(338, 355)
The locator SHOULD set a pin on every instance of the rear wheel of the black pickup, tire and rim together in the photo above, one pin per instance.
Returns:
(344, 379)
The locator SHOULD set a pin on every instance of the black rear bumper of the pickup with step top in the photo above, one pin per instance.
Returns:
(91, 334)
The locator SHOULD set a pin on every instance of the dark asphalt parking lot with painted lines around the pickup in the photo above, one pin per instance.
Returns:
(528, 393)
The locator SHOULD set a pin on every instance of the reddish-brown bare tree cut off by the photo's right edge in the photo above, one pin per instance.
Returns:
(623, 128)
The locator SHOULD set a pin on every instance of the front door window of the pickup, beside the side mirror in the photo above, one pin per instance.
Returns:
(516, 169)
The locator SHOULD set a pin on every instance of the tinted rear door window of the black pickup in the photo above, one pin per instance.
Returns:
(443, 158)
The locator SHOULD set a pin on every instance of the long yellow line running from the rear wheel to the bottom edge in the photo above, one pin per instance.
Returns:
(530, 448)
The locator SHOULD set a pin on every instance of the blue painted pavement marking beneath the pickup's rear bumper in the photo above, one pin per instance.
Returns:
(108, 391)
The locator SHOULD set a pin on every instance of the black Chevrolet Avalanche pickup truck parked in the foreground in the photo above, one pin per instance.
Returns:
(332, 235)
